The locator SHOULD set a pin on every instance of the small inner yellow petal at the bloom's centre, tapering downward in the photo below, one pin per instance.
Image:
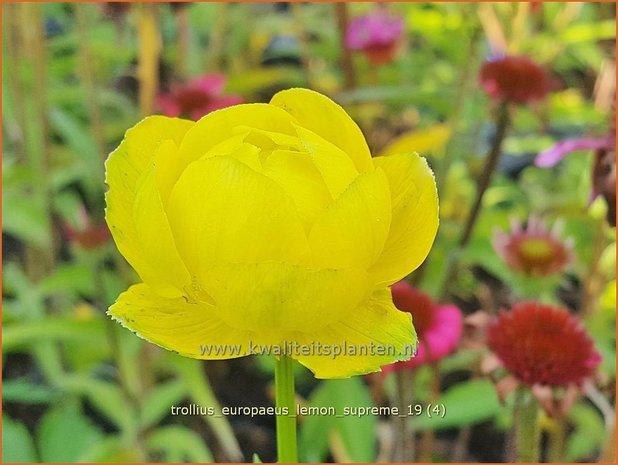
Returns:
(296, 173)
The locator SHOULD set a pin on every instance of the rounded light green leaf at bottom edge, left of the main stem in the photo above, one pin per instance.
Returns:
(179, 444)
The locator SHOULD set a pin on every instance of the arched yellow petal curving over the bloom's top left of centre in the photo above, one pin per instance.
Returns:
(220, 125)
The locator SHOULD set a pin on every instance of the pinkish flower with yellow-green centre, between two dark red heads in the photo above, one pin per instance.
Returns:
(534, 250)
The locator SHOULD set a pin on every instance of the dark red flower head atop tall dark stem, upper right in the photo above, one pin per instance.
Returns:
(515, 79)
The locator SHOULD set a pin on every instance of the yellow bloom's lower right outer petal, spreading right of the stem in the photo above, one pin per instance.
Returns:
(377, 329)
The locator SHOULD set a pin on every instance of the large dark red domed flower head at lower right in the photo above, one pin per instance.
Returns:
(543, 345)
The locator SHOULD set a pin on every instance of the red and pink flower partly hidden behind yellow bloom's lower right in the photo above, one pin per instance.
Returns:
(438, 327)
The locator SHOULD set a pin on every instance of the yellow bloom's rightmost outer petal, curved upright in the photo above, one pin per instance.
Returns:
(415, 216)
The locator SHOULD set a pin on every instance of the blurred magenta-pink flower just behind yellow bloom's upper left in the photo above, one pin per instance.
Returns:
(197, 97)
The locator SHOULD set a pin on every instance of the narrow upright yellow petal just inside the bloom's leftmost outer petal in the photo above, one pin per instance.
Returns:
(164, 271)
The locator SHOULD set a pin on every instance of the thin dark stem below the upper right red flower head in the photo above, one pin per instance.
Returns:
(484, 180)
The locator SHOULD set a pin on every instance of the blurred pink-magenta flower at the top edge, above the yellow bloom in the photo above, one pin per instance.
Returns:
(376, 34)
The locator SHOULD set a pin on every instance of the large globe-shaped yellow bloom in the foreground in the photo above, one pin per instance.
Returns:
(264, 226)
